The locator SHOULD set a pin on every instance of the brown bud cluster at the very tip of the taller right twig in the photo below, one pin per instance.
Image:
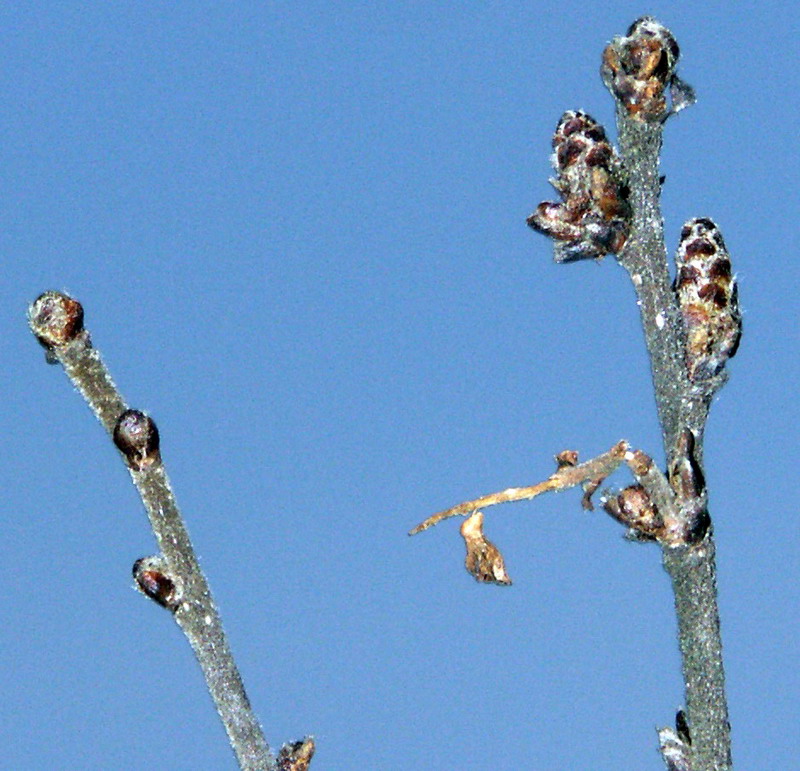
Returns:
(639, 70)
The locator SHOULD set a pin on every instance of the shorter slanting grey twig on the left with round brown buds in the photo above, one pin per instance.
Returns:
(173, 578)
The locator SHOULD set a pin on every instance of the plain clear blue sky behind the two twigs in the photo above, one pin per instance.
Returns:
(298, 231)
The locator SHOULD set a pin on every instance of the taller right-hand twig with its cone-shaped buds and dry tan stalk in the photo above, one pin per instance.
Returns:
(610, 204)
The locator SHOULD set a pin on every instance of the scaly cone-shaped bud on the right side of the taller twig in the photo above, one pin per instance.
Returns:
(708, 298)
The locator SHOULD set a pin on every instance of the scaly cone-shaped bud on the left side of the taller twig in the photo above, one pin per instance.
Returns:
(592, 218)
